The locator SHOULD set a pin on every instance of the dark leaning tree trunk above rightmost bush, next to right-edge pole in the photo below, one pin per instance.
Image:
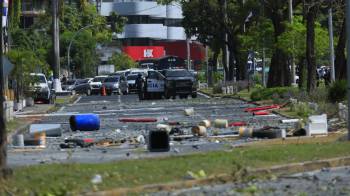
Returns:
(340, 60)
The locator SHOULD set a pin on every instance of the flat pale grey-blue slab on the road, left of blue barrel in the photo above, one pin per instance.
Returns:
(51, 130)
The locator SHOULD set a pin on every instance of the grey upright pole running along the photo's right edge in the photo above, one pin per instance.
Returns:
(347, 14)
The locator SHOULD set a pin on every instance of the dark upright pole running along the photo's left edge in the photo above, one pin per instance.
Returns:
(3, 135)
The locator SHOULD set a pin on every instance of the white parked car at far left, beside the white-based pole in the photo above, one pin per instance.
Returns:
(39, 88)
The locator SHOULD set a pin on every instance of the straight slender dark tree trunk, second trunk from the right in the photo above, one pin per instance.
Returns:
(310, 48)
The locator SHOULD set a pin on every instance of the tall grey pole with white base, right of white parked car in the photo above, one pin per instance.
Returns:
(56, 47)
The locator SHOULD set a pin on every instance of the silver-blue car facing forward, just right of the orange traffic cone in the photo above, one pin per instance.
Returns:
(116, 84)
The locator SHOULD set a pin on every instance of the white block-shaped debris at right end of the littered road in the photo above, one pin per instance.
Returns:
(317, 125)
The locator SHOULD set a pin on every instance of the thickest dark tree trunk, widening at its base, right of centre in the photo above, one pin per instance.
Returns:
(279, 74)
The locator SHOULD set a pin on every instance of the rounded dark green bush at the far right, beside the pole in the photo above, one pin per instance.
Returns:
(337, 91)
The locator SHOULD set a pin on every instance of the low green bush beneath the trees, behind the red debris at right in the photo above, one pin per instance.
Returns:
(273, 93)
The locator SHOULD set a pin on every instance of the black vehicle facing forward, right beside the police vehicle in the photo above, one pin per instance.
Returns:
(179, 82)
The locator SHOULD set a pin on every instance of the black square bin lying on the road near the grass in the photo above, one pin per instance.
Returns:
(158, 141)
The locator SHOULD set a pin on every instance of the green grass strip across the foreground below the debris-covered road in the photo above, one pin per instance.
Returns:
(62, 179)
